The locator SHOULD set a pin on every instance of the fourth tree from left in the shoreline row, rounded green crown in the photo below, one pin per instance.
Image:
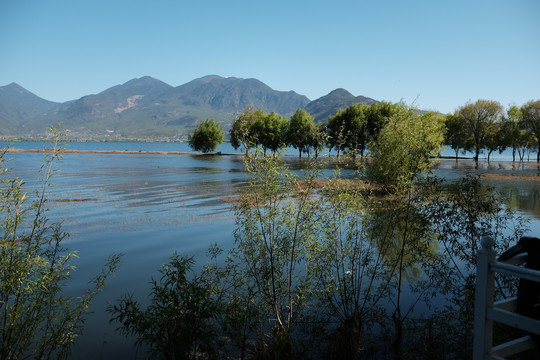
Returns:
(301, 131)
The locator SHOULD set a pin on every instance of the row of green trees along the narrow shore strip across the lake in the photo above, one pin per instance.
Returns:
(480, 126)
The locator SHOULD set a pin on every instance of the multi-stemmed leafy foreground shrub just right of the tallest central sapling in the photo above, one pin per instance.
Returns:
(350, 274)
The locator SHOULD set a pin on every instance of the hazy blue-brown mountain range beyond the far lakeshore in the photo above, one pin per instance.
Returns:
(147, 108)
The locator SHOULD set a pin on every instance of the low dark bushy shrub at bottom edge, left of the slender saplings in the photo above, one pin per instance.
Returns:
(179, 323)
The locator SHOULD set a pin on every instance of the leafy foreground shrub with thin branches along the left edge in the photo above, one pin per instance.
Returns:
(36, 319)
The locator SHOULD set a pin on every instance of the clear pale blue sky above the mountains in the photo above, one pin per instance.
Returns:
(438, 54)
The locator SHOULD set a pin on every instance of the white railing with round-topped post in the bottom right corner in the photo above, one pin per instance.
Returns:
(487, 311)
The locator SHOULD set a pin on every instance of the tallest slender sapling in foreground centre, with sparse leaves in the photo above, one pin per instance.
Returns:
(273, 222)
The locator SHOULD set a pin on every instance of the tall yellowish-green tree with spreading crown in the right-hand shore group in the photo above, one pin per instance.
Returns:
(480, 123)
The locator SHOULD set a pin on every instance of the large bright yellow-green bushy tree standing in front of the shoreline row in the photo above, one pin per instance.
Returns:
(404, 147)
